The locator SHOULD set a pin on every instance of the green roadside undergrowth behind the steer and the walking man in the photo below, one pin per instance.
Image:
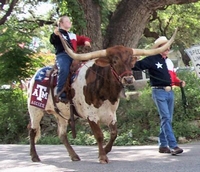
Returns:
(138, 119)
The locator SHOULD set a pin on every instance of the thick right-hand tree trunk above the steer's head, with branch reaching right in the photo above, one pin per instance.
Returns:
(130, 19)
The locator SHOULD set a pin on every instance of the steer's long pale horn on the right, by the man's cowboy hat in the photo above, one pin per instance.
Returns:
(143, 52)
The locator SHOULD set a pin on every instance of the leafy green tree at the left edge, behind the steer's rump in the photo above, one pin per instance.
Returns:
(17, 59)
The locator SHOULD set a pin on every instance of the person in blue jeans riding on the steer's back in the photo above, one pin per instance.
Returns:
(63, 60)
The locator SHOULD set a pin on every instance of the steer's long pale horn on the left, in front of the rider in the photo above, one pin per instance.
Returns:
(85, 56)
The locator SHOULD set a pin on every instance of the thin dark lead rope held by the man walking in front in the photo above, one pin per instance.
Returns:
(183, 96)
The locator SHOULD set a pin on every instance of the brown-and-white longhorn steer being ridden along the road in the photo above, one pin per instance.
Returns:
(96, 93)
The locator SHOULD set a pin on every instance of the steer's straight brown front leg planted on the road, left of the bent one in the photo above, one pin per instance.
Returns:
(103, 159)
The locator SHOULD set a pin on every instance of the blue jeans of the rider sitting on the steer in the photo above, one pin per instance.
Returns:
(63, 61)
